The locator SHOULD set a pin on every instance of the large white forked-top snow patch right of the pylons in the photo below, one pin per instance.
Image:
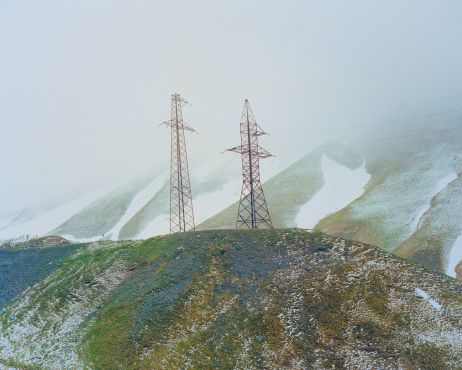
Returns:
(342, 185)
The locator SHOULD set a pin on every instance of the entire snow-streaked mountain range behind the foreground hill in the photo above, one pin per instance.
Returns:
(403, 194)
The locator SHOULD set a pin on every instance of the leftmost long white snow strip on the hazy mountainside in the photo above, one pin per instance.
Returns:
(48, 221)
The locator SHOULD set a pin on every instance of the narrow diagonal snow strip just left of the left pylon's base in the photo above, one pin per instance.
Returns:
(137, 203)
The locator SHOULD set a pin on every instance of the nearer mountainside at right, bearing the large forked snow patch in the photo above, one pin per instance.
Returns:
(404, 198)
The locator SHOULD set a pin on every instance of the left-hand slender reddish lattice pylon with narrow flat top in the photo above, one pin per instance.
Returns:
(181, 208)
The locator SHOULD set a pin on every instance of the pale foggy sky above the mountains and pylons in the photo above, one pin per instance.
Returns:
(84, 84)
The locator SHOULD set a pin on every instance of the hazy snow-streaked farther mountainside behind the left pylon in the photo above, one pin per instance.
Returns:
(137, 209)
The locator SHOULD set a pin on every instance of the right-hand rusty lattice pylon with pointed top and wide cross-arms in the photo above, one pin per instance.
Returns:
(253, 211)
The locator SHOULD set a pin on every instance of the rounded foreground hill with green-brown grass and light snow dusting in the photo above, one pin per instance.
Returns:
(226, 299)
